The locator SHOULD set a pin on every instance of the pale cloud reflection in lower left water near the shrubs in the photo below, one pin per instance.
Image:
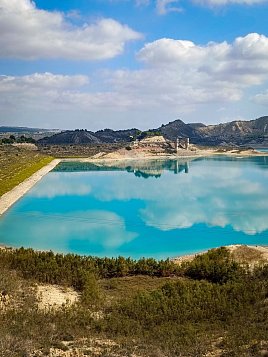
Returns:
(90, 228)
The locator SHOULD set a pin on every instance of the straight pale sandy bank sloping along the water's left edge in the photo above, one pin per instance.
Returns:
(9, 198)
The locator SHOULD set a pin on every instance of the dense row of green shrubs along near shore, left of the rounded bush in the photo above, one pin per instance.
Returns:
(71, 269)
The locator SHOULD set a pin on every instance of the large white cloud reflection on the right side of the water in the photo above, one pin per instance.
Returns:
(217, 194)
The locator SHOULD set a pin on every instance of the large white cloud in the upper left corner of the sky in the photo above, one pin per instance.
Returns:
(30, 33)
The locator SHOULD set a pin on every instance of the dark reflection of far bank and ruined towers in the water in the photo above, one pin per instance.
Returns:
(145, 169)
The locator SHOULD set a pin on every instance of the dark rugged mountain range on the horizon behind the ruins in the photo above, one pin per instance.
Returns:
(253, 132)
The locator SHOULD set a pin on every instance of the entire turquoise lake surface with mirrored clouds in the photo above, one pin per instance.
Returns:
(153, 209)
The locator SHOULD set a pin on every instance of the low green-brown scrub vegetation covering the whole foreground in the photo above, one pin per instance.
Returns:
(209, 305)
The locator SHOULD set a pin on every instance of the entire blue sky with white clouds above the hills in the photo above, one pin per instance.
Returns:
(120, 64)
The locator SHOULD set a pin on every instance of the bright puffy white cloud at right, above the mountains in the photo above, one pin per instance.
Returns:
(246, 59)
